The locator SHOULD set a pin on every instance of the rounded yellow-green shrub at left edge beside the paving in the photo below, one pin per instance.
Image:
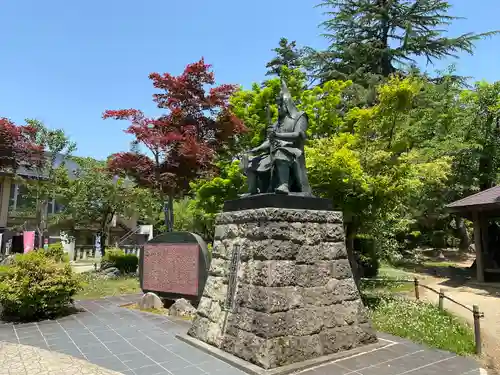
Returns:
(36, 287)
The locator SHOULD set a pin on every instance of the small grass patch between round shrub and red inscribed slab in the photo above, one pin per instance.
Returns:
(95, 286)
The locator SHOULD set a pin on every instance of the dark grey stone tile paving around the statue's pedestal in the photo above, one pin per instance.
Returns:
(136, 343)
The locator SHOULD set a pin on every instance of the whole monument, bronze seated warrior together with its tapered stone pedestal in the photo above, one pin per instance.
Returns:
(280, 296)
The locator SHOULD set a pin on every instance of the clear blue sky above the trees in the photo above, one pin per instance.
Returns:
(65, 62)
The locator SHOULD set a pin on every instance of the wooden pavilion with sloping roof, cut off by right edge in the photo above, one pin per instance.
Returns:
(482, 208)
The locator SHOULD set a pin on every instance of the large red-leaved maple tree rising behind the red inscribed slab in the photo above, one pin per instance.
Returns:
(180, 145)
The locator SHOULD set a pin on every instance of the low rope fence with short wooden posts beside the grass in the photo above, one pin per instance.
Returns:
(476, 313)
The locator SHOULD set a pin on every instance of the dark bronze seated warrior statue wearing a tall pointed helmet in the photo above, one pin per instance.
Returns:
(278, 165)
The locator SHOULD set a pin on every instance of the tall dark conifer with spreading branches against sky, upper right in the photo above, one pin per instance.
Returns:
(373, 37)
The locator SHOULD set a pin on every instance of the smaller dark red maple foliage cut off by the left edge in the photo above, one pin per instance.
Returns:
(18, 147)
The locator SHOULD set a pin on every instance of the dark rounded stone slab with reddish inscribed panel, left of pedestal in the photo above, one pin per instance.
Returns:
(174, 265)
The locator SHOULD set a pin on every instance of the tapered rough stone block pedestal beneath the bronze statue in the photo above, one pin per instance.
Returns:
(280, 289)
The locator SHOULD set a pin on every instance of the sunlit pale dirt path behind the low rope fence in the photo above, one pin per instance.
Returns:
(488, 303)
